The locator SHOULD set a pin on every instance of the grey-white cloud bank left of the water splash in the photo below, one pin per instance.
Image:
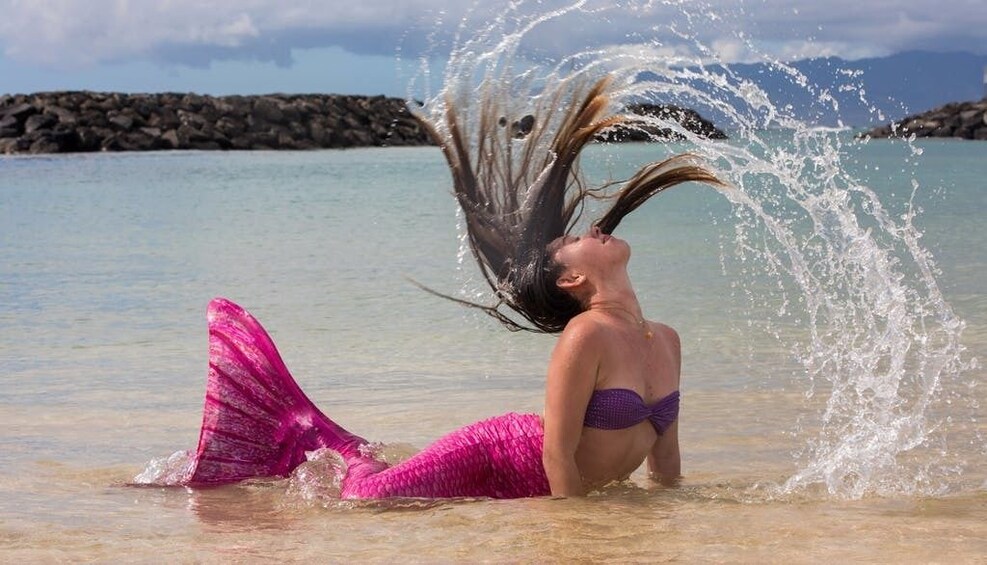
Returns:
(70, 33)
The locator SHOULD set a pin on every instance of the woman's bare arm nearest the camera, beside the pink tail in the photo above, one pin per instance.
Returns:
(572, 373)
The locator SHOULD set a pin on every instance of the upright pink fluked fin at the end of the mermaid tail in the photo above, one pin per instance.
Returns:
(256, 421)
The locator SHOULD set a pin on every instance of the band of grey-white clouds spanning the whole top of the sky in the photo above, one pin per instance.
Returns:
(75, 33)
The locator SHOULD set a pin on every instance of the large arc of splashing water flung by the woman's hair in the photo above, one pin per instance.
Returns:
(851, 291)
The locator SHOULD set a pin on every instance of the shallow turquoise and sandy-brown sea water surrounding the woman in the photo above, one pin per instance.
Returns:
(107, 262)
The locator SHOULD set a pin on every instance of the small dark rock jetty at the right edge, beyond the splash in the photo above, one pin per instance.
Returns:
(965, 120)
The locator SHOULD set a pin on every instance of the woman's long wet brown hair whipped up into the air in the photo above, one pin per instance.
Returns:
(520, 188)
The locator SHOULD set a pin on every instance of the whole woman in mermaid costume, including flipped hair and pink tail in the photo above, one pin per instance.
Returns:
(612, 385)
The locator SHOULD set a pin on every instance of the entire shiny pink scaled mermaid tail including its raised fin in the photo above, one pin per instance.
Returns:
(257, 422)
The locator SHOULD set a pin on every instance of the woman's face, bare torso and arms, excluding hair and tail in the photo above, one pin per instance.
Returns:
(612, 388)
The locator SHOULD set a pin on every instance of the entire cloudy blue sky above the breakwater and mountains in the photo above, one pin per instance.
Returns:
(373, 46)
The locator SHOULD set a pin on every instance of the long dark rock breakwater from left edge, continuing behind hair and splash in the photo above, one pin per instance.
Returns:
(84, 121)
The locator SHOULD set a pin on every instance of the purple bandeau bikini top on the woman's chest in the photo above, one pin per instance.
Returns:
(619, 408)
